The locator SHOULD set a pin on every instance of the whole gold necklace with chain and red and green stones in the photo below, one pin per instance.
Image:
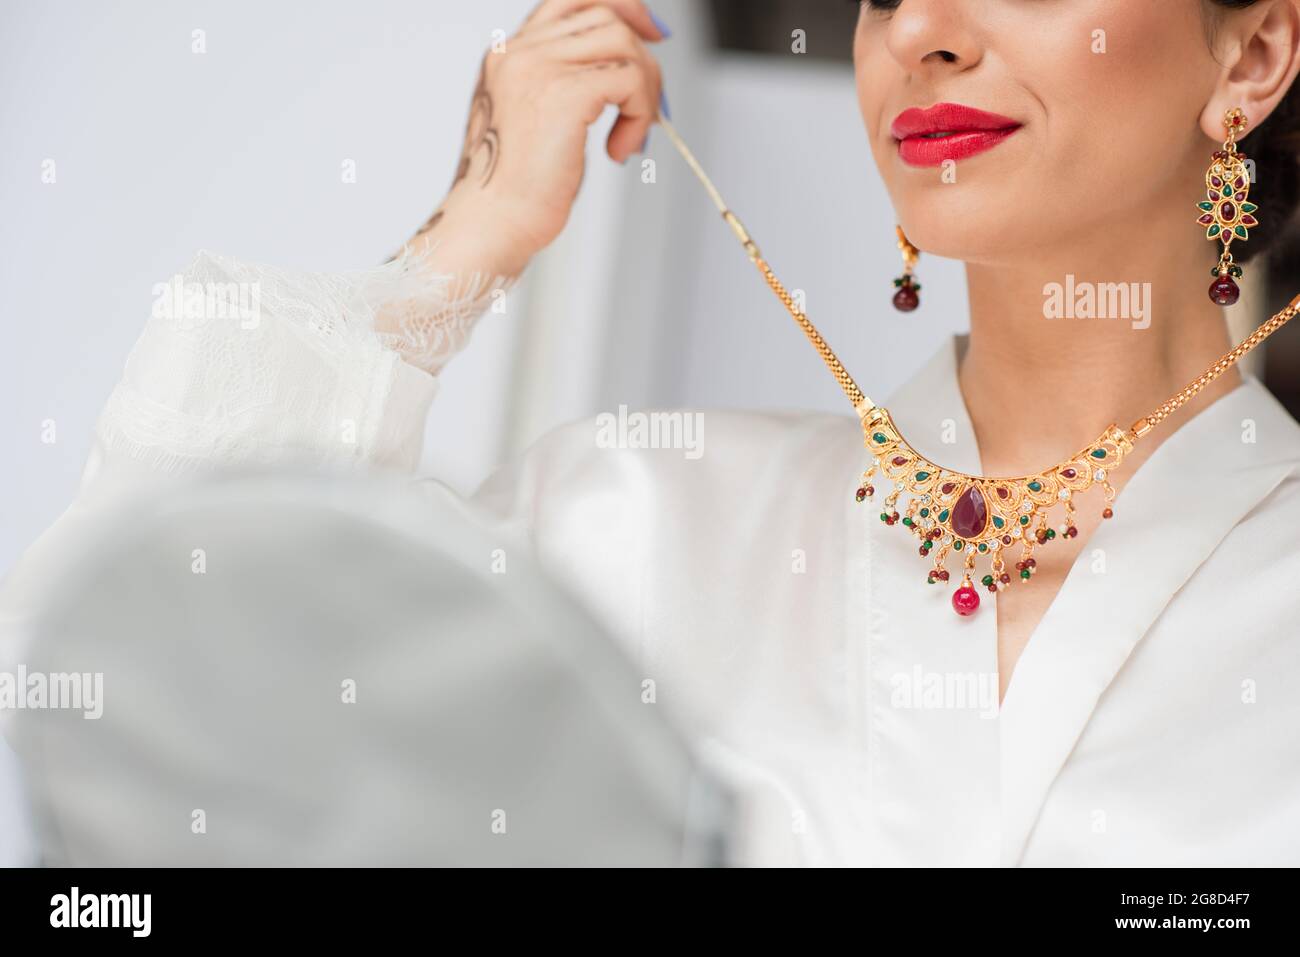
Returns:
(977, 517)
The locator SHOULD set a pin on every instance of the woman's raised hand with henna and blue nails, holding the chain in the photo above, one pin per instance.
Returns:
(525, 149)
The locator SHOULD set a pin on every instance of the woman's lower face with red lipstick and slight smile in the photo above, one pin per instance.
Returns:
(1097, 110)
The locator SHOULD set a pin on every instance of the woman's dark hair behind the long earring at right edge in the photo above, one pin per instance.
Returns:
(1276, 149)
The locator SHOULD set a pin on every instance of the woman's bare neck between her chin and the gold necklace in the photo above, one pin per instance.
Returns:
(1041, 388)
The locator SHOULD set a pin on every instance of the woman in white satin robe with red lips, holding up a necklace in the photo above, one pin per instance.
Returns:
(1133, 701)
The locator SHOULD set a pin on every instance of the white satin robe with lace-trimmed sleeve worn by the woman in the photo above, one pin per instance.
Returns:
(1152, 720)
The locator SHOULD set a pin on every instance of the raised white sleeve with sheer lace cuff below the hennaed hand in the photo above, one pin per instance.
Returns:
(252, 366)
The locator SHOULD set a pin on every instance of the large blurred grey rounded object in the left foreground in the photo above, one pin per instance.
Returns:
(493, 724)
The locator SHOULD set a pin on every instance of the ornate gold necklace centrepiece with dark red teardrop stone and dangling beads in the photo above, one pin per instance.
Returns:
(981, 518)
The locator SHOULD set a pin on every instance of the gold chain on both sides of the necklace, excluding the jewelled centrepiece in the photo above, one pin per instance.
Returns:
(864, 405)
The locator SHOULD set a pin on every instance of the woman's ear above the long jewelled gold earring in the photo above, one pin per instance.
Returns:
(1260, 51)
